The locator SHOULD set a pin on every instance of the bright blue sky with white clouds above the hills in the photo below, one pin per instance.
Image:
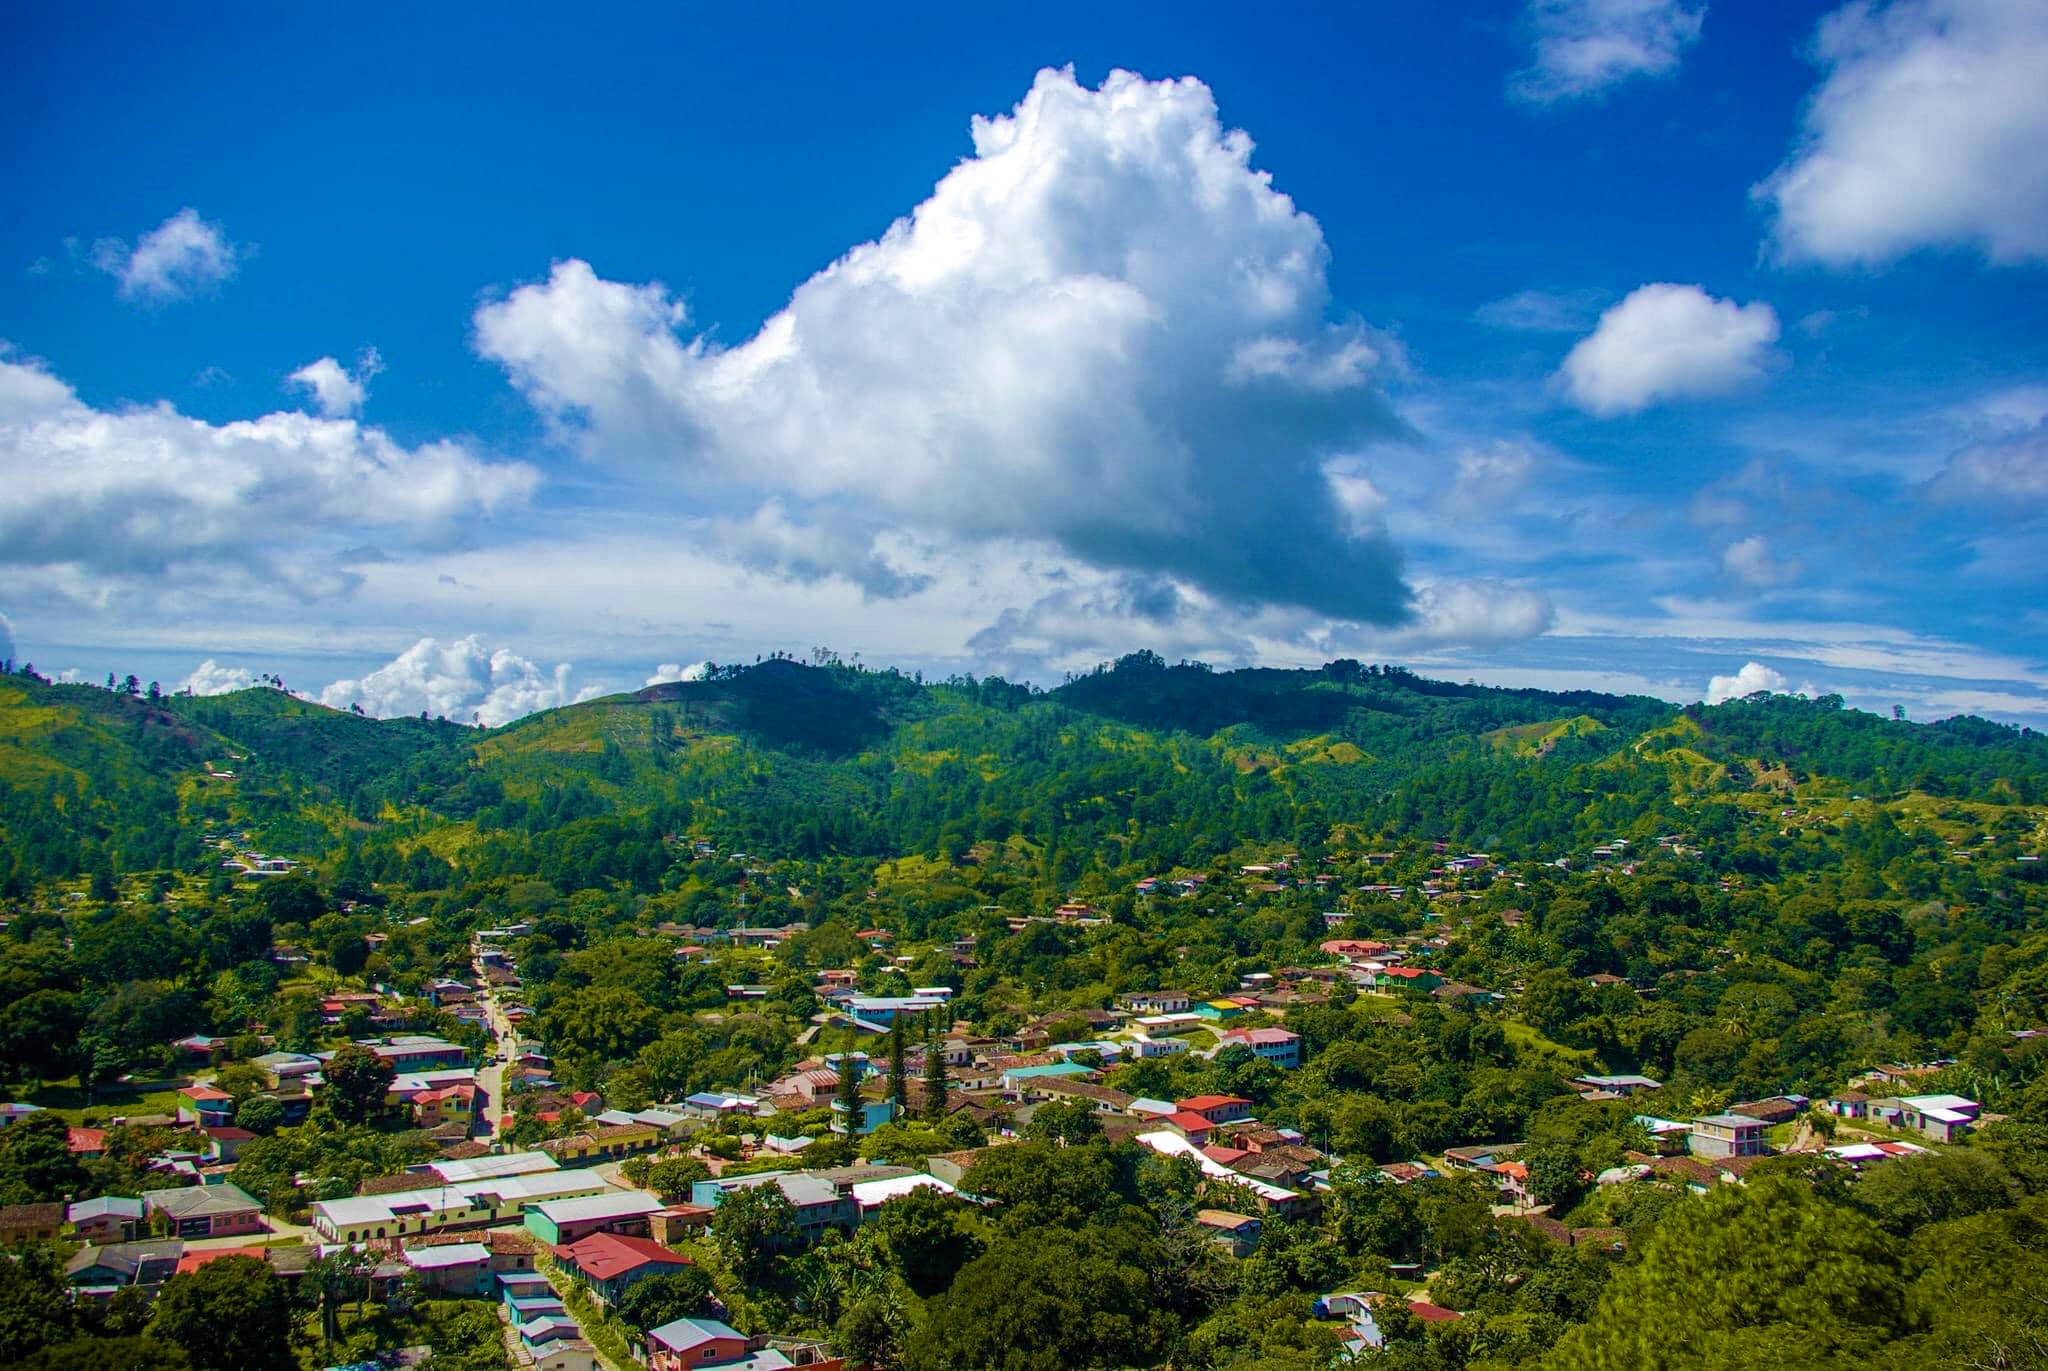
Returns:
(478, 366)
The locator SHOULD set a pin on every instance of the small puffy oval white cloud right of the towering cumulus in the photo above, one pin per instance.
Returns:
(1668, 343)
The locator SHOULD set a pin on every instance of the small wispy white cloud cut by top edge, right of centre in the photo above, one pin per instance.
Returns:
(1586, 46)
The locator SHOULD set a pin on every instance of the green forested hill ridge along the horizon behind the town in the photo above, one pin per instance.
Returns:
(1140, 763)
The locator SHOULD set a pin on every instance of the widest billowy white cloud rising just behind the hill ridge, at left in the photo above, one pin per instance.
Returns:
(460, 679)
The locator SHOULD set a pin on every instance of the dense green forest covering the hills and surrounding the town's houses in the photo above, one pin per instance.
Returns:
(1754, 901)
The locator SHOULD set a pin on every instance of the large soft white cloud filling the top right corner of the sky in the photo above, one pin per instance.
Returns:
(1924, 134)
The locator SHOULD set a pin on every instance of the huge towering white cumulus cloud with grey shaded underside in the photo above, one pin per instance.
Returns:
(1105, 331)
